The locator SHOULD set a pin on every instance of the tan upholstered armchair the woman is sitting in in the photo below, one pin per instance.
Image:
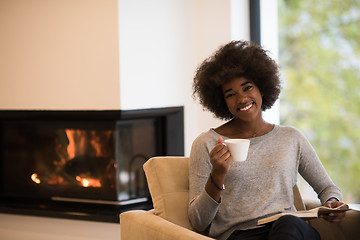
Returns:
(168, 180)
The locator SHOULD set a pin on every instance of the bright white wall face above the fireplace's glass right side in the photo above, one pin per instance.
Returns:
(153, 49)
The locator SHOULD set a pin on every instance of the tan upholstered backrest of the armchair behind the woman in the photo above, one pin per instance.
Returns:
(168, 181)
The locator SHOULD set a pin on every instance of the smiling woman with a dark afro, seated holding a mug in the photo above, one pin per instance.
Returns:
(237, 83)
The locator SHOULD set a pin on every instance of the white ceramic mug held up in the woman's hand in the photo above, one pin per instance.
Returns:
(238, 148)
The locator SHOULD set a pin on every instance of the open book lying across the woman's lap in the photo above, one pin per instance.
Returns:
(305, 214)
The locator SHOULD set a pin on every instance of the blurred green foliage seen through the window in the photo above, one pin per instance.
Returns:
(320, 65)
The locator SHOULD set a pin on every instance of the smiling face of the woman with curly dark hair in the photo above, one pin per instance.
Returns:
(243, 99)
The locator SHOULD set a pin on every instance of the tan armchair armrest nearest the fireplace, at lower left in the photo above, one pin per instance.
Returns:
(145, 225)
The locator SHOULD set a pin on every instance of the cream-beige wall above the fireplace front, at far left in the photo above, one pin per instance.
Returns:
(59, 54)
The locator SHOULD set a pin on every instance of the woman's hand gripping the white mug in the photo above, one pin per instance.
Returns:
(220, 158)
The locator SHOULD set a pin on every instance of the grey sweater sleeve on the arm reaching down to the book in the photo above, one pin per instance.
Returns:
(313, 171)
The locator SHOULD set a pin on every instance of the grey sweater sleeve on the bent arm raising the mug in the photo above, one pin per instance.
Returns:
(202, 208)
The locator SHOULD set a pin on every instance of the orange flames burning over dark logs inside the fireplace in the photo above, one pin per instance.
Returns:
(84, 149)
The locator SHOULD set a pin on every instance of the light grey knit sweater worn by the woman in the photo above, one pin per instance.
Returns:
(260, 186)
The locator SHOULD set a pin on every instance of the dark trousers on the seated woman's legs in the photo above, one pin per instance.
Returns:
(285, 228)
